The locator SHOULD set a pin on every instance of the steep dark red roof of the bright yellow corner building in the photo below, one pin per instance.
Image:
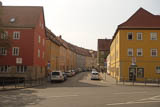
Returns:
(142, 19)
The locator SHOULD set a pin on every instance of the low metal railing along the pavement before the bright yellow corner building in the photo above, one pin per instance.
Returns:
(142, 82)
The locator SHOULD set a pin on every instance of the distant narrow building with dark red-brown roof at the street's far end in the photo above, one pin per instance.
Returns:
(103, 51)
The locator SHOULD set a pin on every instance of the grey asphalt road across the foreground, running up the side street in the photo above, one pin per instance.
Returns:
(80, 91)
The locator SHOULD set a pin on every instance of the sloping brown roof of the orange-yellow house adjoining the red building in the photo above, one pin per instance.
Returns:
(52, 36)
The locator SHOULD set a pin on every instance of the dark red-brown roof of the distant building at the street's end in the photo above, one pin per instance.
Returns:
(104, 44)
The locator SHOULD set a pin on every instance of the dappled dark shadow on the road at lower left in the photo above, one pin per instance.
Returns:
(18, 98)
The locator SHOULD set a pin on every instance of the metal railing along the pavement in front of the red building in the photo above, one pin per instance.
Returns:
(9, 84)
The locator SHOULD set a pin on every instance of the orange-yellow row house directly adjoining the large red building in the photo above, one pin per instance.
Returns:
(52, 51)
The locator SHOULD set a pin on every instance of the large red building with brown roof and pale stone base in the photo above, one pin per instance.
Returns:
(26, 27)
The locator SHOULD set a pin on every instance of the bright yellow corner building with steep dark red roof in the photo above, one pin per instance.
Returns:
(135, 48)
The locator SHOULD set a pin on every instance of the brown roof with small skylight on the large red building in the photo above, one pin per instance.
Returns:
(25, 16)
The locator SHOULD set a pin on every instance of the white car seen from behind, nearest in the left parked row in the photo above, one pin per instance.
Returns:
(57, 76)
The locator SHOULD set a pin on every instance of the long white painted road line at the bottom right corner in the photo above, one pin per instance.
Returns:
(114, 104)
